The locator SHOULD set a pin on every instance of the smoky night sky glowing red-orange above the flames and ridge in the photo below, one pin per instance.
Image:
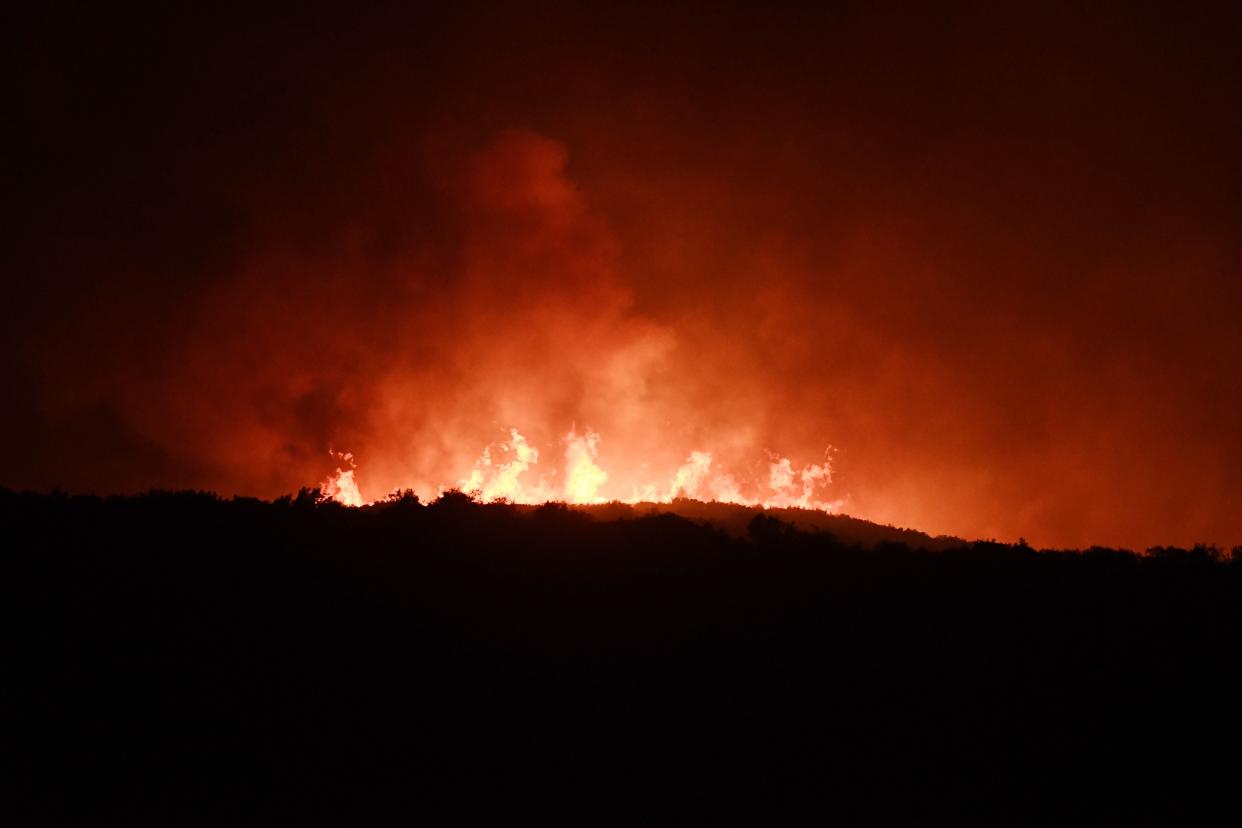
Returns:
(989, 255)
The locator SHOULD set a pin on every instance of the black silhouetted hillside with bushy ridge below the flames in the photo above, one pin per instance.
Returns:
(178, 660)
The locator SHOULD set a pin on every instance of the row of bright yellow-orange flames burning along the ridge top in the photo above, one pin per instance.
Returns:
(506, 471)
